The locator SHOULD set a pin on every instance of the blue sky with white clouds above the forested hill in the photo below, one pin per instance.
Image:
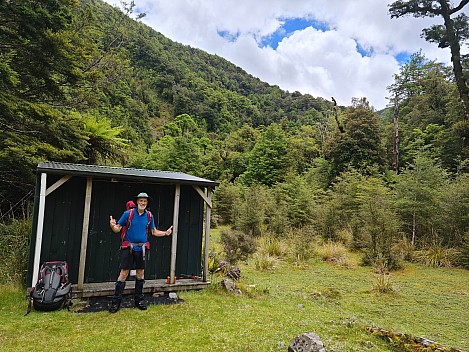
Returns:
(326, 48)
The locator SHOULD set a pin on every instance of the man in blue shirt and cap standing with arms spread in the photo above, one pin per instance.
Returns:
(133, 248)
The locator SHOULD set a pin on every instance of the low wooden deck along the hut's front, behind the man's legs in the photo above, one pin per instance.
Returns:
(151, 286)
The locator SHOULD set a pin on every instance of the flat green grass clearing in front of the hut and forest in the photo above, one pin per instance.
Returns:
(335, 302)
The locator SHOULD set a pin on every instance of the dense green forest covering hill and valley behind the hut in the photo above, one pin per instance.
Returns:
(83, 82)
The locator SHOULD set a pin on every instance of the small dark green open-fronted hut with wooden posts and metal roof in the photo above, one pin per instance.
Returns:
(73, 203)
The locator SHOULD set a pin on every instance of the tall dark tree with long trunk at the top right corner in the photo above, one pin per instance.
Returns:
(451, 34)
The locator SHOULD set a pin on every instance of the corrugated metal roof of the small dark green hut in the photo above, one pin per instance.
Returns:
(123, 173)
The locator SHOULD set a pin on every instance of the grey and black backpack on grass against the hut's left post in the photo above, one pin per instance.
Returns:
(53, 289)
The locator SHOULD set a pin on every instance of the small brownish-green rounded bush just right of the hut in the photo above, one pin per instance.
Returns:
(237, 245)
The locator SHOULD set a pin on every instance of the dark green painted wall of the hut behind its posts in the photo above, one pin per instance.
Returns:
(64, 218)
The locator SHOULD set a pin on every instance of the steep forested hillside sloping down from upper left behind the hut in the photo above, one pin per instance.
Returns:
(66, 67)
